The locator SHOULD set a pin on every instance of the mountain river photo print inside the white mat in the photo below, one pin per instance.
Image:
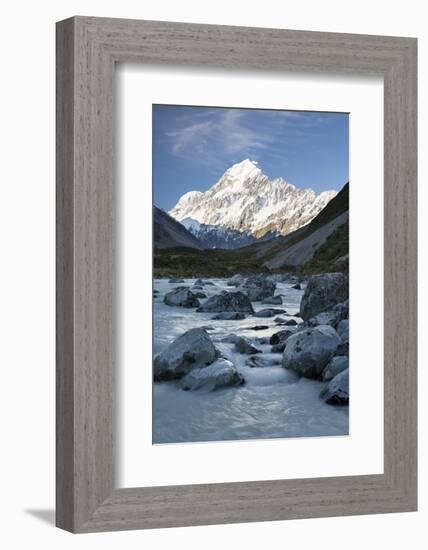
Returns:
(250, 274)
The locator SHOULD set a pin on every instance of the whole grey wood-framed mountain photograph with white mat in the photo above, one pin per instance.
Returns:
(236, 274)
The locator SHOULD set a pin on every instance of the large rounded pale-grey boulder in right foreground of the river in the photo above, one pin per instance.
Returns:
(307, 352)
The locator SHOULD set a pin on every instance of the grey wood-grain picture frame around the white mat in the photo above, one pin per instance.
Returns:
(87, 50)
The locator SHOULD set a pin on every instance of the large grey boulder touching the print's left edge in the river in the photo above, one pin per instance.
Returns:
(193, 349)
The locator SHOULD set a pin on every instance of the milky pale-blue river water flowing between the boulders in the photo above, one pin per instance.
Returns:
(272, 403)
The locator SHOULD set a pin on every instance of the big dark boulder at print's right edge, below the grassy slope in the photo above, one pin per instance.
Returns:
(323, 293)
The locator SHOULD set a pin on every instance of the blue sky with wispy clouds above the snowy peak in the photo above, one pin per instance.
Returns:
(194, 146)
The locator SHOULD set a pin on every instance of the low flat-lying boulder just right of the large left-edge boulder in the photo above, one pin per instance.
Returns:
(220, 374)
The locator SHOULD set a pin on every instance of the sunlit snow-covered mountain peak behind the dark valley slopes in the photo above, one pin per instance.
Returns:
(247, 201)
